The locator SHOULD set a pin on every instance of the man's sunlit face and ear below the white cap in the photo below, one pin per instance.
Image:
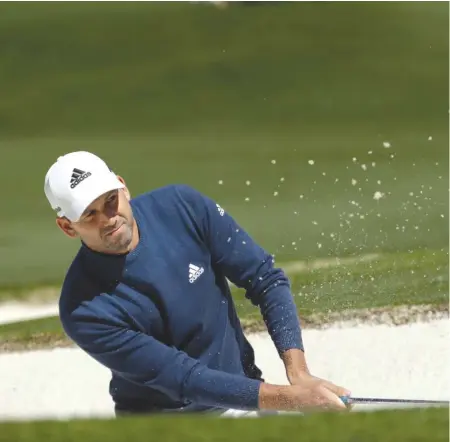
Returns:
(107, 225)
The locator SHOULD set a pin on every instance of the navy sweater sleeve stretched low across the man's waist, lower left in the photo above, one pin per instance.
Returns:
(144, 360)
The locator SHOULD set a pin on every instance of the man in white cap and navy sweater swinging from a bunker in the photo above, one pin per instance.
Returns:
(147, 296)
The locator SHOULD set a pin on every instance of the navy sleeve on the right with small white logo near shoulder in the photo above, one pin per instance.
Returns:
(250, 267)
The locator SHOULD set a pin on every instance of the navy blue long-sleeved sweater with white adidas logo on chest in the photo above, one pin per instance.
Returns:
(162, 318)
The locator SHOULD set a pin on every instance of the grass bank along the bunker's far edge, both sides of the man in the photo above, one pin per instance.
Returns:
(389, 280)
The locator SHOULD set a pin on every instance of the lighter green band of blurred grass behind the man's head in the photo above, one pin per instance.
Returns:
(413, 214)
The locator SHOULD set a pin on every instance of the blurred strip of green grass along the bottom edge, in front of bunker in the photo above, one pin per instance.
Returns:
(430, 425)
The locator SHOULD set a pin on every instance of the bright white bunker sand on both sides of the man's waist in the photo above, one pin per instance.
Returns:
(410, 361)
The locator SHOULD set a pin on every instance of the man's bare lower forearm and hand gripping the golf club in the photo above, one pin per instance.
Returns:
(313, 394)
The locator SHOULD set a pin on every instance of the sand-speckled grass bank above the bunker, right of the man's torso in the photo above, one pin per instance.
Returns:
(391, 280)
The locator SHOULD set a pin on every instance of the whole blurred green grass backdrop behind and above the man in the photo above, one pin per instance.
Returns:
(293, 116)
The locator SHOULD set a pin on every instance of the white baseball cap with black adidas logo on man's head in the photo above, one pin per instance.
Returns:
(75, 180)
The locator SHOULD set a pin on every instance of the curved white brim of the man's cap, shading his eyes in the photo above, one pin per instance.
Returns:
(90, 190)
